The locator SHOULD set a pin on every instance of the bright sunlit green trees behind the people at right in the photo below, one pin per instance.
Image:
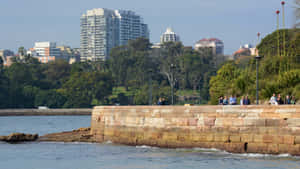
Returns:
(278, 72)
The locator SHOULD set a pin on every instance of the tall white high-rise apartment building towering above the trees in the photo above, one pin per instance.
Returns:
(102, 29)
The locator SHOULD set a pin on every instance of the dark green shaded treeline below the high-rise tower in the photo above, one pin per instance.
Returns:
(134, 74)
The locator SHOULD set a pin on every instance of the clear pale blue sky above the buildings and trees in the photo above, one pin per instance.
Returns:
(235, 22)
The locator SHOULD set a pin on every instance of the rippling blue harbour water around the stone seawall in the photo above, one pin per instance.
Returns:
(109, 156)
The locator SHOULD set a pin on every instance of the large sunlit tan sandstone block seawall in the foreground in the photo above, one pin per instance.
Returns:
(238, 129)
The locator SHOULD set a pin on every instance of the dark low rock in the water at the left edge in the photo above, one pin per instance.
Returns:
(19, 137)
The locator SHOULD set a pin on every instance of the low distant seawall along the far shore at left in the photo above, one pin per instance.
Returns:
(44, 112)
